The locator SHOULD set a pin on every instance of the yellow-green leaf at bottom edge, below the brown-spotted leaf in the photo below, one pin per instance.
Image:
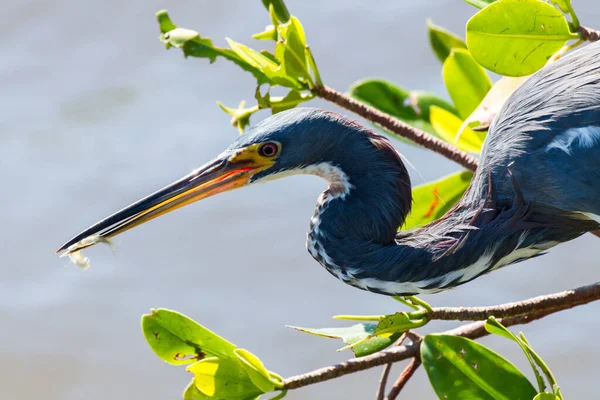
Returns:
(223, 378)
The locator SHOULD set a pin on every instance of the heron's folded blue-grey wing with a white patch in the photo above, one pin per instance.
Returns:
(547, 136)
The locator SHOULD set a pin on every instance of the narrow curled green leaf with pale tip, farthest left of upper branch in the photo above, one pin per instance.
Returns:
(192, 44)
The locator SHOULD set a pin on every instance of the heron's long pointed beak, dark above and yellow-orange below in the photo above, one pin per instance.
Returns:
(228, 171)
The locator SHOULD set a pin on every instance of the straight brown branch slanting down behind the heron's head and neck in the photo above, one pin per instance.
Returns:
(398, 127)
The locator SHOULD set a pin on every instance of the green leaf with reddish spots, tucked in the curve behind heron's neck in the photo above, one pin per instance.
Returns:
(434, 199)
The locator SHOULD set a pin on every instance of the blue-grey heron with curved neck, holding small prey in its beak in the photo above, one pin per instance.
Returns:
(537, 185)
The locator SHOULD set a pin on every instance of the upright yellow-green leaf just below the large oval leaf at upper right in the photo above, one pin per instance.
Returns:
(466, 81)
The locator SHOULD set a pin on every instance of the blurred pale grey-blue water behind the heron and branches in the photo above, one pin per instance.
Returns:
(96, 114)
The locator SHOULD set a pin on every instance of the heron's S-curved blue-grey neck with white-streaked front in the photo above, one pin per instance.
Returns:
(354, 231)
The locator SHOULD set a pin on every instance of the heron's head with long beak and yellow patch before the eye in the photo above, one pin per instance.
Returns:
(302, 140)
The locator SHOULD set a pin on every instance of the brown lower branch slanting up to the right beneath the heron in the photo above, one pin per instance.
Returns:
(523, 312)
